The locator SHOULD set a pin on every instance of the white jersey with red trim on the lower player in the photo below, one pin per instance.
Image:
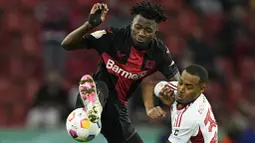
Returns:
(194, 123)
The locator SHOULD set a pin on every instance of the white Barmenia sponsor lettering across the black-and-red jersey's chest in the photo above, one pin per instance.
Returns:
(111, 65)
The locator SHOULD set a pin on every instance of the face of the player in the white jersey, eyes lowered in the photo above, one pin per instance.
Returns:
(188, 88)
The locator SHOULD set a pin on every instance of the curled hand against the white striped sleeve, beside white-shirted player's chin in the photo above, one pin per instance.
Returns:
(166, 95)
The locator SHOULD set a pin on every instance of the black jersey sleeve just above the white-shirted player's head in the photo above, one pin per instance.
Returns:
(166, 64)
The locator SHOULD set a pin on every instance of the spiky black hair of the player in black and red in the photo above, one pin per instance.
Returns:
(149, 11)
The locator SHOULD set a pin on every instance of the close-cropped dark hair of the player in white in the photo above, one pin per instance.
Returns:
(199, 71)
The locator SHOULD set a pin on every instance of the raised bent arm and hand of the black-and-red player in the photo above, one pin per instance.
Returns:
(74, 39)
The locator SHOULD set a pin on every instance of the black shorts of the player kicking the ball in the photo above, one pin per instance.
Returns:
(116, 125)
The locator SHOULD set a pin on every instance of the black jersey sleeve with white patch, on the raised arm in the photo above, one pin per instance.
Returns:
(99, 40)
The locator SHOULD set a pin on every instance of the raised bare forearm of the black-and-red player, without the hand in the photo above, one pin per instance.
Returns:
(74, 39)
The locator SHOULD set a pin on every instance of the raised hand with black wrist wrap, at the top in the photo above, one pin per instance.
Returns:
(98, 13)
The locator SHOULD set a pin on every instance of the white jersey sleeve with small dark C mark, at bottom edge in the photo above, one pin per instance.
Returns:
(183, 134)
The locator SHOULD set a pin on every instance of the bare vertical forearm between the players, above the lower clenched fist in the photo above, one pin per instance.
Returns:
(148, 95)
